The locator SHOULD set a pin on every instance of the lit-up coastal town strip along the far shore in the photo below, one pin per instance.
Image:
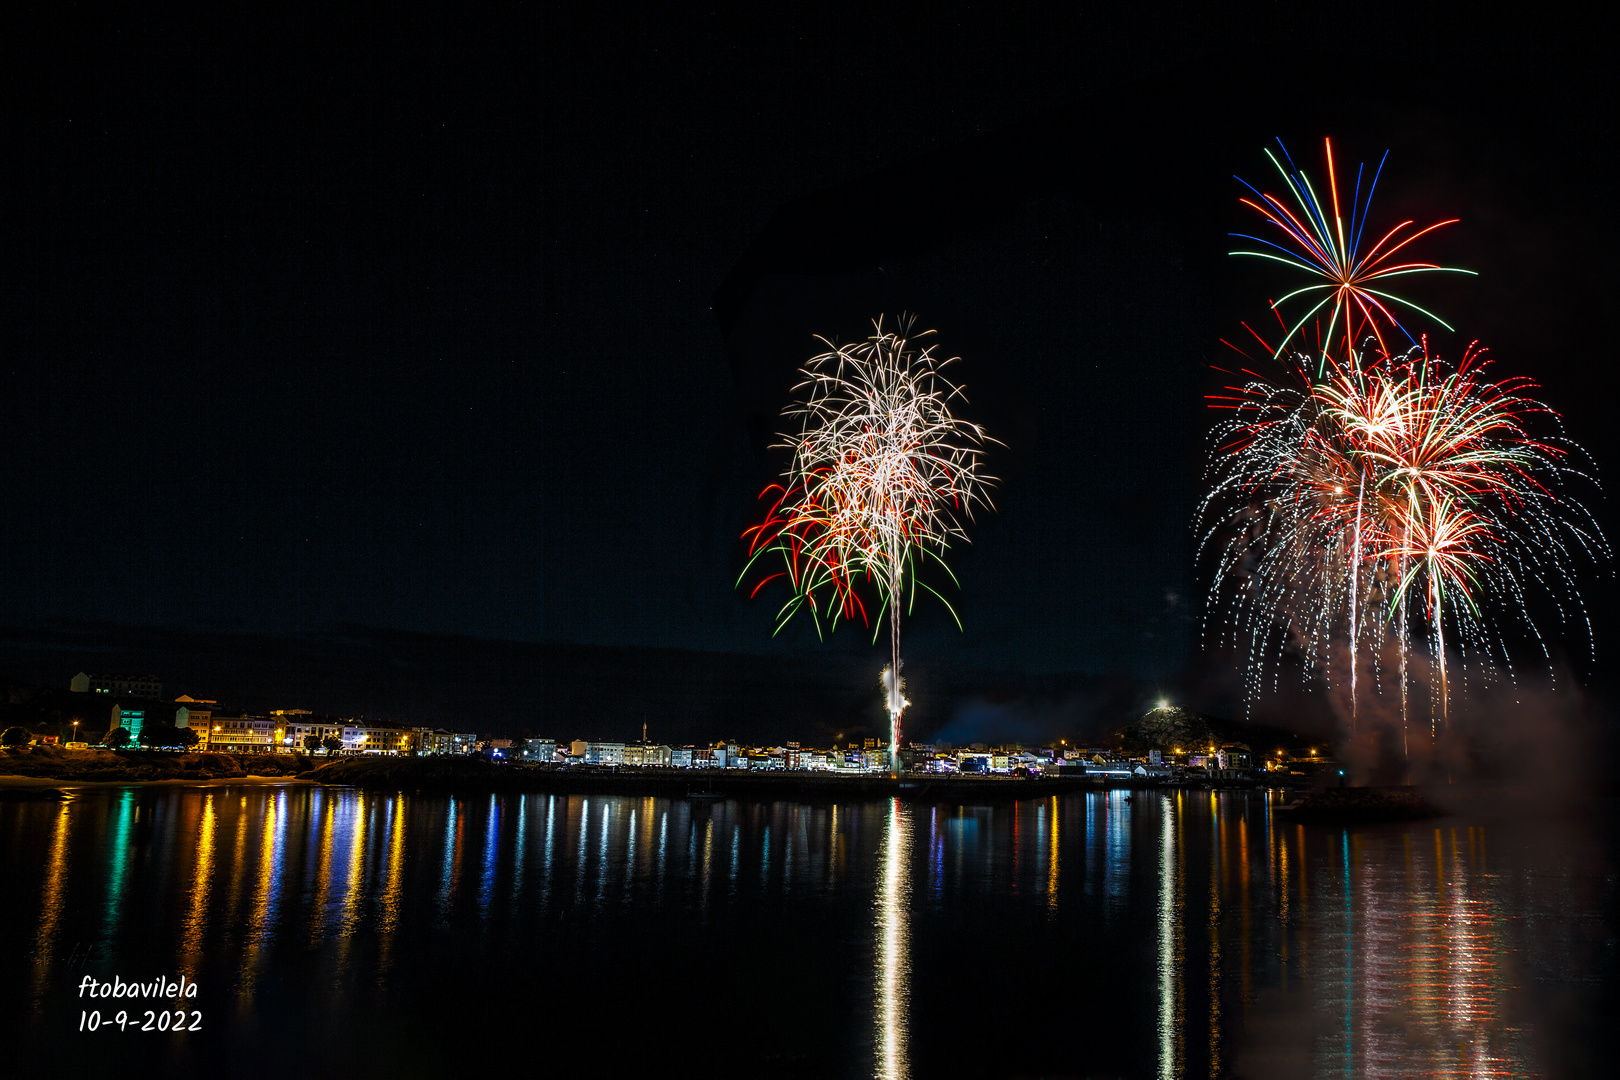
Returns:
(139, 715)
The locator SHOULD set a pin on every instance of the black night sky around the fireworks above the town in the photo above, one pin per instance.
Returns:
(479, 323)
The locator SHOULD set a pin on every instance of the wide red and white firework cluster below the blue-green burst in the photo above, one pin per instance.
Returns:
(1339, 500)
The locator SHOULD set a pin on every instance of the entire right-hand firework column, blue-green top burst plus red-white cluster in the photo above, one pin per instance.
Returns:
(1365, 496)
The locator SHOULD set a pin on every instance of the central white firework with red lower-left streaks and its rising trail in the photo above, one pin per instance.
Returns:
(884, 477)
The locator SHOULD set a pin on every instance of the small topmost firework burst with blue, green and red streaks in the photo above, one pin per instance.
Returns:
(1352, 281)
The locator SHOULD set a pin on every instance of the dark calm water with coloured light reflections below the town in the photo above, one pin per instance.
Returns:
(1175, 935)
